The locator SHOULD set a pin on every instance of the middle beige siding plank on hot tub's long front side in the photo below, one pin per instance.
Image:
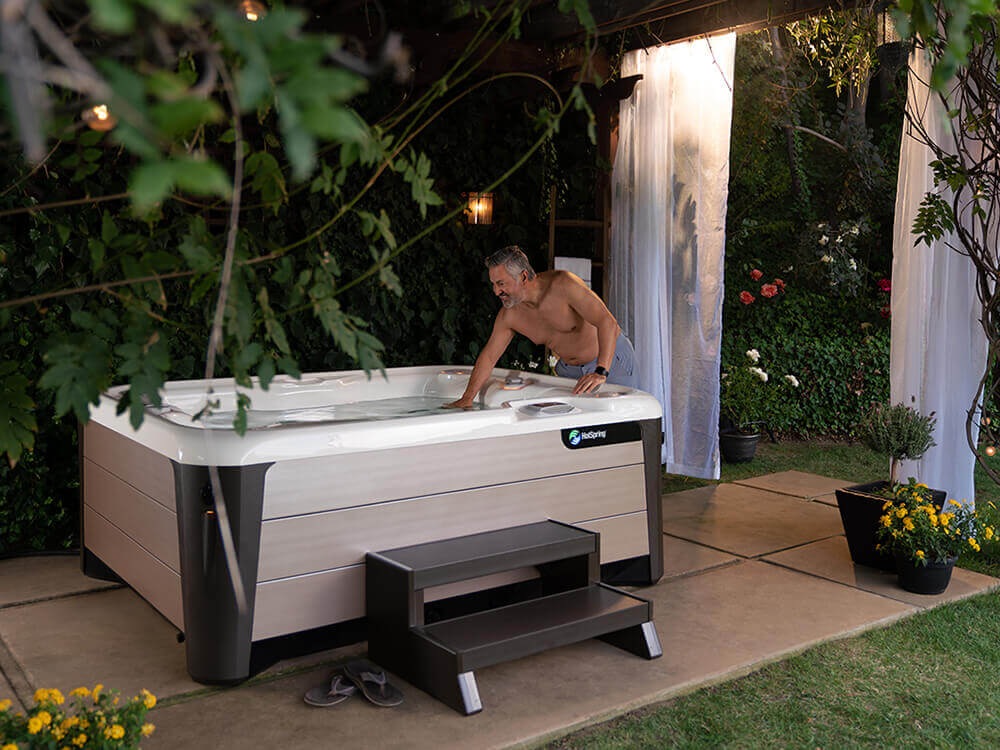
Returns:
(323, 541)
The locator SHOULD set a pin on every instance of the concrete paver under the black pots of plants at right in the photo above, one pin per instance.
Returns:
(831, 559)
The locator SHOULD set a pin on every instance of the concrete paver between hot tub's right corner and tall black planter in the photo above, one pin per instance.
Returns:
(746, 521)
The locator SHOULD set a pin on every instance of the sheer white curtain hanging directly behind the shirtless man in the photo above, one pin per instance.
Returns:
(671, 184)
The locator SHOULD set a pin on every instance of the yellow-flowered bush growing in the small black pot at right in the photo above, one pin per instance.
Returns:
(914, 528)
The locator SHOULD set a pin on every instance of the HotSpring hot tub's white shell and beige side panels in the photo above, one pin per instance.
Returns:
(335, 491)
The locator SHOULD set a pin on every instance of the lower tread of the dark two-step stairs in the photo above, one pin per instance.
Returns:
(506, 633)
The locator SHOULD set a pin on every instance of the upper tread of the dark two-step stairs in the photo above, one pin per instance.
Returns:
(463, 557)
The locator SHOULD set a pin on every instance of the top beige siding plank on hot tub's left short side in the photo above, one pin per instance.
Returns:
(144, 469)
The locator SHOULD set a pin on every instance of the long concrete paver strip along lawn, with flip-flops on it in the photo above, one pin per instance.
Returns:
(712, 625)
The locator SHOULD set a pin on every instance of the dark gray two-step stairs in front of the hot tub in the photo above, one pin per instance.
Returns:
(440, 658)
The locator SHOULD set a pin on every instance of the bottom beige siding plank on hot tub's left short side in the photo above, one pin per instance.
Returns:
(154, 581)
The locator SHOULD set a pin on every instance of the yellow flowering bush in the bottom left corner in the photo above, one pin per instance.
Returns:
(95, 720)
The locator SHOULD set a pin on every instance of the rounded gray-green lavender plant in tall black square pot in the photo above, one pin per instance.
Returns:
(900, 433)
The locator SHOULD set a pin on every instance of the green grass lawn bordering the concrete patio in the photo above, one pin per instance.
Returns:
(930, 681)
